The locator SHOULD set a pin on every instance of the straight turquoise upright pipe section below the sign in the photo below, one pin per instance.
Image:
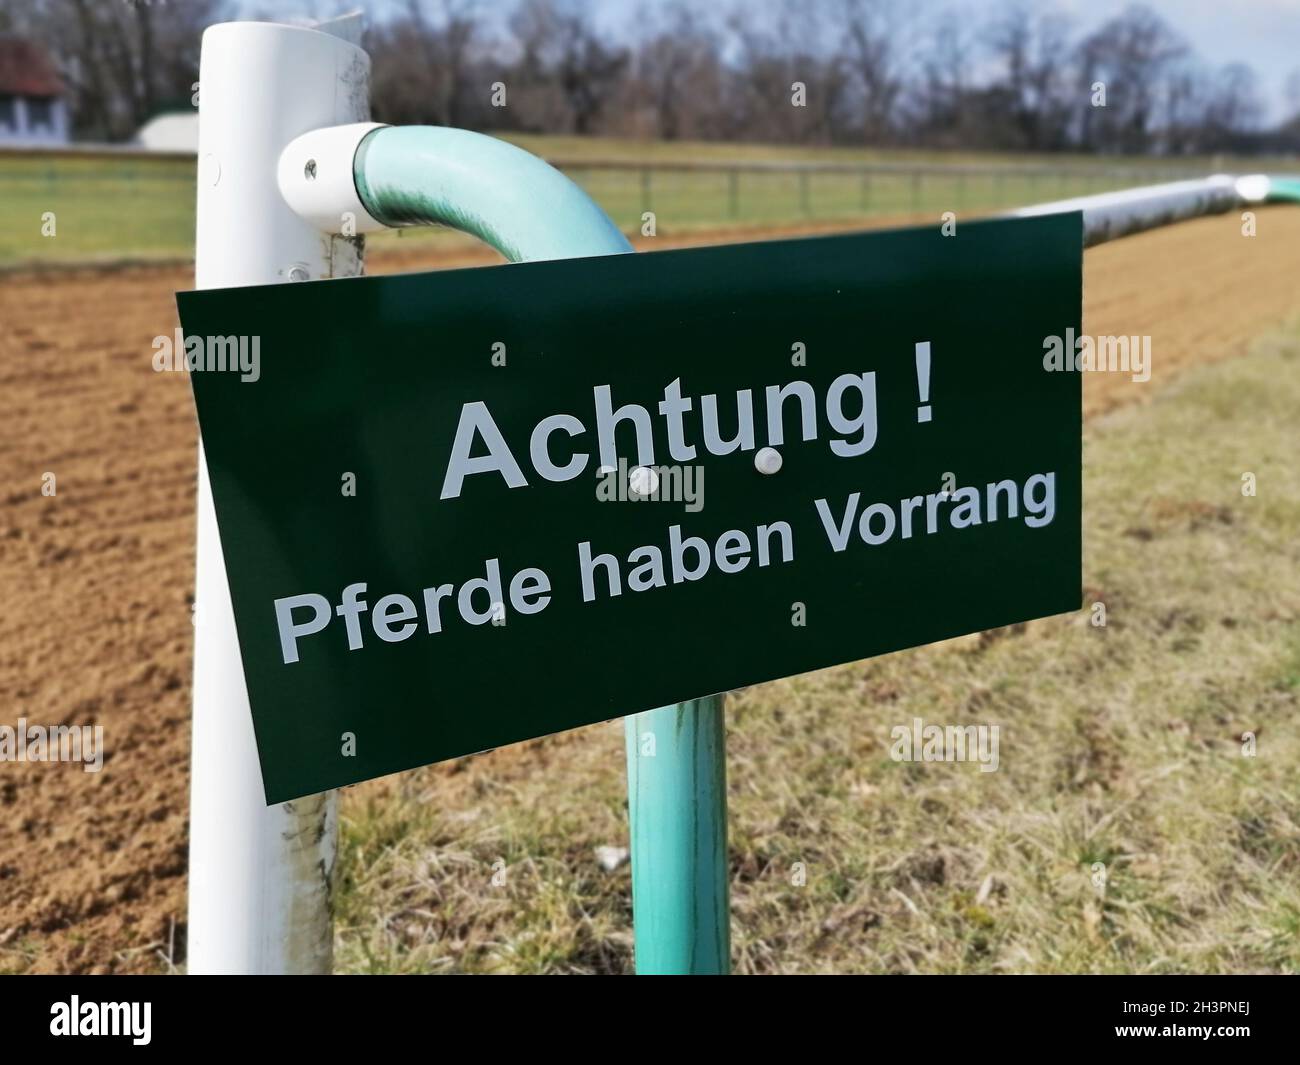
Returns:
(678, 813)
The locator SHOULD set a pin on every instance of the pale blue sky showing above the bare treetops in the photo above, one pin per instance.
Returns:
(1262, 33)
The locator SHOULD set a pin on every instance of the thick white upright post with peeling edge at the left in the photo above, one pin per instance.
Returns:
(259, 878)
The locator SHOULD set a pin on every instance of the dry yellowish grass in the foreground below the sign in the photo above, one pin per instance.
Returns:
(1120, 744)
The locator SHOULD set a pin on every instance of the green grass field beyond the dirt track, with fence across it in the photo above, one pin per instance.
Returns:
(137, 209)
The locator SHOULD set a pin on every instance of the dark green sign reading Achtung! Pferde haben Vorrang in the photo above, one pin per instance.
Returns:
(466, 509)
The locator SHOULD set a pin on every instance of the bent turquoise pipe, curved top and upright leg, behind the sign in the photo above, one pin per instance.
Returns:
(677, 755)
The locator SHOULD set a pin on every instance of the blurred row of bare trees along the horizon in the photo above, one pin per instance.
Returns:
(881, 72)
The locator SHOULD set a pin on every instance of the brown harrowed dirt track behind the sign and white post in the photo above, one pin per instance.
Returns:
(98, 579)
